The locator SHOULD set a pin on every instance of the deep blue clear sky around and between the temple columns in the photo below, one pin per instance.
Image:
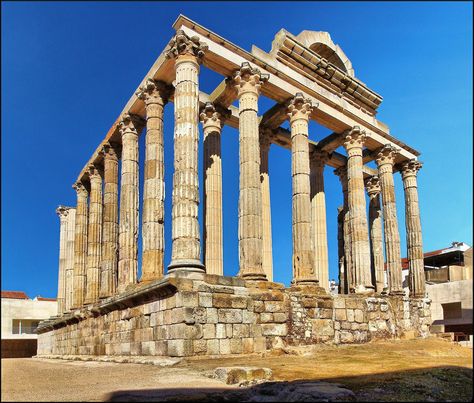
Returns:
(69, 68)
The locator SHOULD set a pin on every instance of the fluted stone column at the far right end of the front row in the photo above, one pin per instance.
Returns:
(416, 272)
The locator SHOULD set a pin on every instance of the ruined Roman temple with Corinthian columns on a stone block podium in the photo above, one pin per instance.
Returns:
(188, 307)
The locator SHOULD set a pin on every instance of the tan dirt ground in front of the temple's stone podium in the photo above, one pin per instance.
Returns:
(405, 370)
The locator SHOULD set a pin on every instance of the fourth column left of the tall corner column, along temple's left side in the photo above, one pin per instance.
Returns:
(94, 236)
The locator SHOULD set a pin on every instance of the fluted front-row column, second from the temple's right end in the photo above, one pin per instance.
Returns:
(385, 160)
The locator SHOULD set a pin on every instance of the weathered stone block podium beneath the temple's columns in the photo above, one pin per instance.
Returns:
(215, 315)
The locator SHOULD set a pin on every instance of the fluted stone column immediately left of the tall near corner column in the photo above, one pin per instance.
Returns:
(155, 95)
